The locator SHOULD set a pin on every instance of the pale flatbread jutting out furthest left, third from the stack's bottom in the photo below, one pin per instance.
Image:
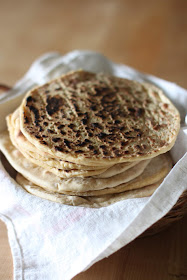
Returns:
(50, 181)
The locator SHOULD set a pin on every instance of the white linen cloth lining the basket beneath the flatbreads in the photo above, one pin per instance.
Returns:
(53, 241)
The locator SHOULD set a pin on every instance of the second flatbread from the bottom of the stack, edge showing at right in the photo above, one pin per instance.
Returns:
(156, 170)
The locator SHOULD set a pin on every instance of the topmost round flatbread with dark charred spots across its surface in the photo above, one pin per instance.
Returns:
(95, 119)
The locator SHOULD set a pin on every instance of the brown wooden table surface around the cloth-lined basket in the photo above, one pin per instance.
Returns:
(148, 35)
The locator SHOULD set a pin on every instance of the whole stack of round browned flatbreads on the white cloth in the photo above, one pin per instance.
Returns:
(91, 139)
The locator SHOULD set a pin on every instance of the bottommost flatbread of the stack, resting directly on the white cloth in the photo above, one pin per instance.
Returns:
(92, 202)
